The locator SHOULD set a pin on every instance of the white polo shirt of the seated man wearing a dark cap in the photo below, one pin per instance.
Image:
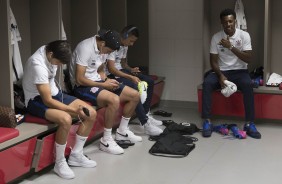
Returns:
(87, 54)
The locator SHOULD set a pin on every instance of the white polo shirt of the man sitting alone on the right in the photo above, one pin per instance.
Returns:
(227, 60)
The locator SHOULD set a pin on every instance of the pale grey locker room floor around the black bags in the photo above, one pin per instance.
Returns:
(216, 160)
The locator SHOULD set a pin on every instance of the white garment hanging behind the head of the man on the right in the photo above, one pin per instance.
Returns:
(241, 18)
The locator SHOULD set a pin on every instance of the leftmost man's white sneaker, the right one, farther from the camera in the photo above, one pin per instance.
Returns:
(81, 160)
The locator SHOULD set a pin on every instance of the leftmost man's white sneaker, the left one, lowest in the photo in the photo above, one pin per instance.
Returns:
(63, 170)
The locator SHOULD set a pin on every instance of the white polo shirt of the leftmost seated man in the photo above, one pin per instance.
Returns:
(38, 70)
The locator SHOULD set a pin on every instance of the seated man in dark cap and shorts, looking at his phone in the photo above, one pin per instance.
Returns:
(91, 84)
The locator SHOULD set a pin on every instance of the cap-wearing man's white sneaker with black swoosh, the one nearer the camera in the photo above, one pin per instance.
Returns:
(110, 146)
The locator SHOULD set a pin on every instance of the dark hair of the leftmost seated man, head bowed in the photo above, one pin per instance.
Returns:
(61, 50)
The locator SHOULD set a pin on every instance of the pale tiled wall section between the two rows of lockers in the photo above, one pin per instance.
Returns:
(176, 46)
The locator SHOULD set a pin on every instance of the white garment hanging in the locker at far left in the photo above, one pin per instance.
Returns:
(16, 56)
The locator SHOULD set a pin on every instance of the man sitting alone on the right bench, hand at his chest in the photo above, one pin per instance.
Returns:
(230, 54)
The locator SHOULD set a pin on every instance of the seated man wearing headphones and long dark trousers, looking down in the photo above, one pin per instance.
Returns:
(122, 72)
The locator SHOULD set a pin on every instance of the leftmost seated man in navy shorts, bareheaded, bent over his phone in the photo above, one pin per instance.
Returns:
(45, 100)
